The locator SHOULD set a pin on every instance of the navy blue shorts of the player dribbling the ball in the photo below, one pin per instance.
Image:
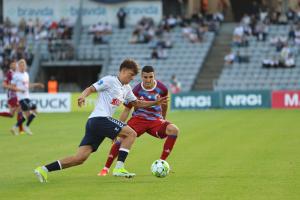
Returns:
(98, 128)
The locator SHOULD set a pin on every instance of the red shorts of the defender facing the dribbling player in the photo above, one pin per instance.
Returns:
(156, 128)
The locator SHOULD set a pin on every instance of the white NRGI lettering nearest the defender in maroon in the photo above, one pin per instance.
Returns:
(202, 101)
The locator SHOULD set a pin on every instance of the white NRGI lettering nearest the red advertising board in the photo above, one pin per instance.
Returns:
(243, 100)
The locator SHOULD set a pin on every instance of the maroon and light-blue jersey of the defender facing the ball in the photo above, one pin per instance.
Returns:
(153, 112)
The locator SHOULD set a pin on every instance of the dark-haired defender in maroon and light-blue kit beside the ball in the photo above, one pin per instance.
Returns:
(151, 120)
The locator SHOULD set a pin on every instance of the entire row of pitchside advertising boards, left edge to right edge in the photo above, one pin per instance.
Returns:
(67, 102)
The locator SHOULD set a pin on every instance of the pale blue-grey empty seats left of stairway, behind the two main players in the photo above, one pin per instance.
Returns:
(184, 59)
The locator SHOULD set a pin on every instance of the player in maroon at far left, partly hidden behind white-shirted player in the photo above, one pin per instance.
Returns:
(12, 100)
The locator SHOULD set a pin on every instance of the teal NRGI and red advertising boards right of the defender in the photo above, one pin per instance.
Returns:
(236, 100)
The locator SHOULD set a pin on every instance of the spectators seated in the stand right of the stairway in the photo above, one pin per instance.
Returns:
(256, 24)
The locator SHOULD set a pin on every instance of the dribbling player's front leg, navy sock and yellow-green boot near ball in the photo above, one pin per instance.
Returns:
(128, 135)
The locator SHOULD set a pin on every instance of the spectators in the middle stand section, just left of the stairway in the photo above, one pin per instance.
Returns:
(159, 38)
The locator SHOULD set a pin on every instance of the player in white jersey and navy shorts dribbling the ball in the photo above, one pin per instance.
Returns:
(112, 92)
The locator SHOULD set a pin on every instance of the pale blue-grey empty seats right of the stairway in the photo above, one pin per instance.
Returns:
(251, 75)
